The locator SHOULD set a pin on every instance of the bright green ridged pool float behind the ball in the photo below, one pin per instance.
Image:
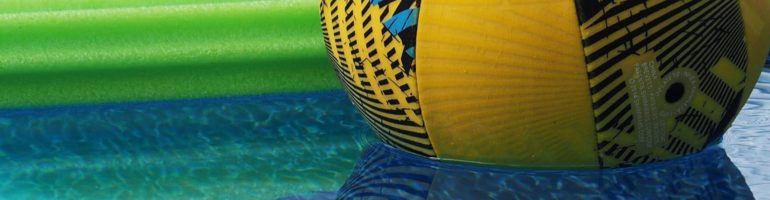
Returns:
(76, 52)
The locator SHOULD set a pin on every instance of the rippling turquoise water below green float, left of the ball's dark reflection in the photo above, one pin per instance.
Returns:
(245, 148)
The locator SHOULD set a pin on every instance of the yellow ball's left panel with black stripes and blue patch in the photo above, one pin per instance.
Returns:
(376, 68)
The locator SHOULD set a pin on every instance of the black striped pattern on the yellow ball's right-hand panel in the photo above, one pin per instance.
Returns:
(689, 34)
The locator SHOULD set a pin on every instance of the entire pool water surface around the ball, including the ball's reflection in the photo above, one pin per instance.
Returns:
(309, 146)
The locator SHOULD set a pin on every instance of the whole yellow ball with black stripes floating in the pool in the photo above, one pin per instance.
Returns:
(585, 84)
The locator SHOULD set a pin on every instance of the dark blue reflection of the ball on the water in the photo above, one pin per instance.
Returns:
(388, 173)
